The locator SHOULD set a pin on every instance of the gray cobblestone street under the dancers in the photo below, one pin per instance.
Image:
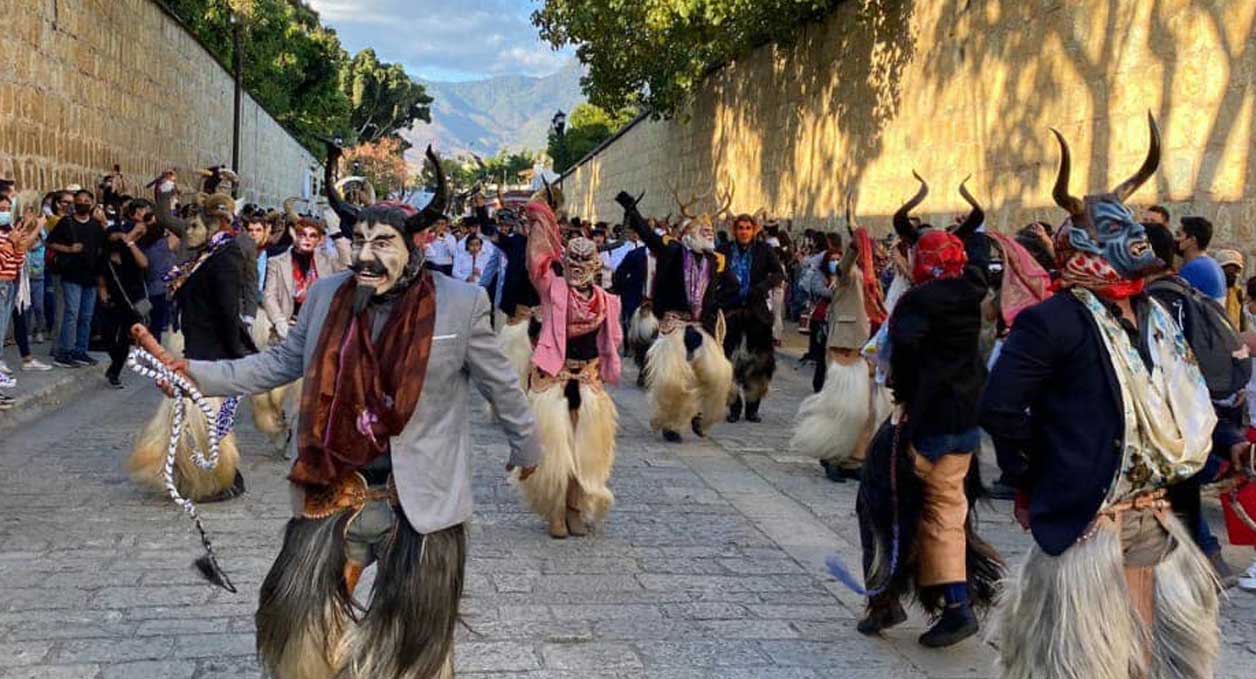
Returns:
(709, 567)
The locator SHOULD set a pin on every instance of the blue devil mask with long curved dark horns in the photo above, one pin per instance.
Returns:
(1102, 223)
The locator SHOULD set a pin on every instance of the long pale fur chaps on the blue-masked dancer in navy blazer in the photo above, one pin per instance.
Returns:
(1072, 617)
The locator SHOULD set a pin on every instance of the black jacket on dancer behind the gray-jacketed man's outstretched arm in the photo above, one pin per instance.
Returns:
(210, 309)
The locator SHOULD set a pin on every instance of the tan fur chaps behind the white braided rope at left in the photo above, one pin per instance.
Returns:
(148, 462)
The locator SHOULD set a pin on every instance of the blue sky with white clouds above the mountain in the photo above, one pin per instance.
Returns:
(448, 40)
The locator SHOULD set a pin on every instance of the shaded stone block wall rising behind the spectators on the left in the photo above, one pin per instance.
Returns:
(90, 83)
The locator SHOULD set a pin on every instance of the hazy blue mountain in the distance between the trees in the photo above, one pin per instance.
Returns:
(484, 117)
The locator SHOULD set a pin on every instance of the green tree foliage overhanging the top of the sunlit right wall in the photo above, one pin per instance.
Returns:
(655, 53)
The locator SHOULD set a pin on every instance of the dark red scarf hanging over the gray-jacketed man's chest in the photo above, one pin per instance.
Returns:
(361, 393)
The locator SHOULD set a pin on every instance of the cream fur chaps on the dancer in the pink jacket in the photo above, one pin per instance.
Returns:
(577, 427)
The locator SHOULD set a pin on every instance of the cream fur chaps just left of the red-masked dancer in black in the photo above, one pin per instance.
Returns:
(832, 424)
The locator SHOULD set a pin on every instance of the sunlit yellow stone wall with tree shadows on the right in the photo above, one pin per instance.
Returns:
(959, 87)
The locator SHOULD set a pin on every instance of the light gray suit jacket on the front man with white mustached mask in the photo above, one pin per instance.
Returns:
(431, 457)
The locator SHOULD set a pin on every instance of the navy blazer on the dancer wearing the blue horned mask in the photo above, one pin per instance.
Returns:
(1053, 406)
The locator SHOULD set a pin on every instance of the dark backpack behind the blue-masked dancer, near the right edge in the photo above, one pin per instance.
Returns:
(1218, 348)
